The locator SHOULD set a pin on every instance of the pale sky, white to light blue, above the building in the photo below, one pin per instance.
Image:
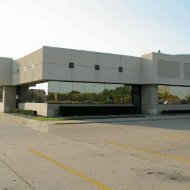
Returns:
(129, 27)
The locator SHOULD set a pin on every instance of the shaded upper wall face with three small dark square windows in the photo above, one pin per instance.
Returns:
(56, 66)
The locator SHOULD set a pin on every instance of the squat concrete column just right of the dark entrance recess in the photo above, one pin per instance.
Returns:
(149, 99)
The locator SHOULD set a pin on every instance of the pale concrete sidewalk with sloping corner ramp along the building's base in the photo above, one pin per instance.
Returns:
(43, 126)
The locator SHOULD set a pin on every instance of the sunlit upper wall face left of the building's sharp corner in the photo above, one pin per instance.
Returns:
(28, 68)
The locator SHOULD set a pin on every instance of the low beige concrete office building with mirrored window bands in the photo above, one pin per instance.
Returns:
(51, 77)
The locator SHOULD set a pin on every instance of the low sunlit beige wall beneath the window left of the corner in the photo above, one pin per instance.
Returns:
(41, 108)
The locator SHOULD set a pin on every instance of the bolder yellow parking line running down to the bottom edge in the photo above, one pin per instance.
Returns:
(99, 185)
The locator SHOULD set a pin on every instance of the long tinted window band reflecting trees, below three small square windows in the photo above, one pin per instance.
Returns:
(88, 93)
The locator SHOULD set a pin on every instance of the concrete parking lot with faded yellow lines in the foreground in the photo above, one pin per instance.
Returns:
(119, 155)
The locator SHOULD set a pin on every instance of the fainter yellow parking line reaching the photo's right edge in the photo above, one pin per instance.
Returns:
(160, 154)
